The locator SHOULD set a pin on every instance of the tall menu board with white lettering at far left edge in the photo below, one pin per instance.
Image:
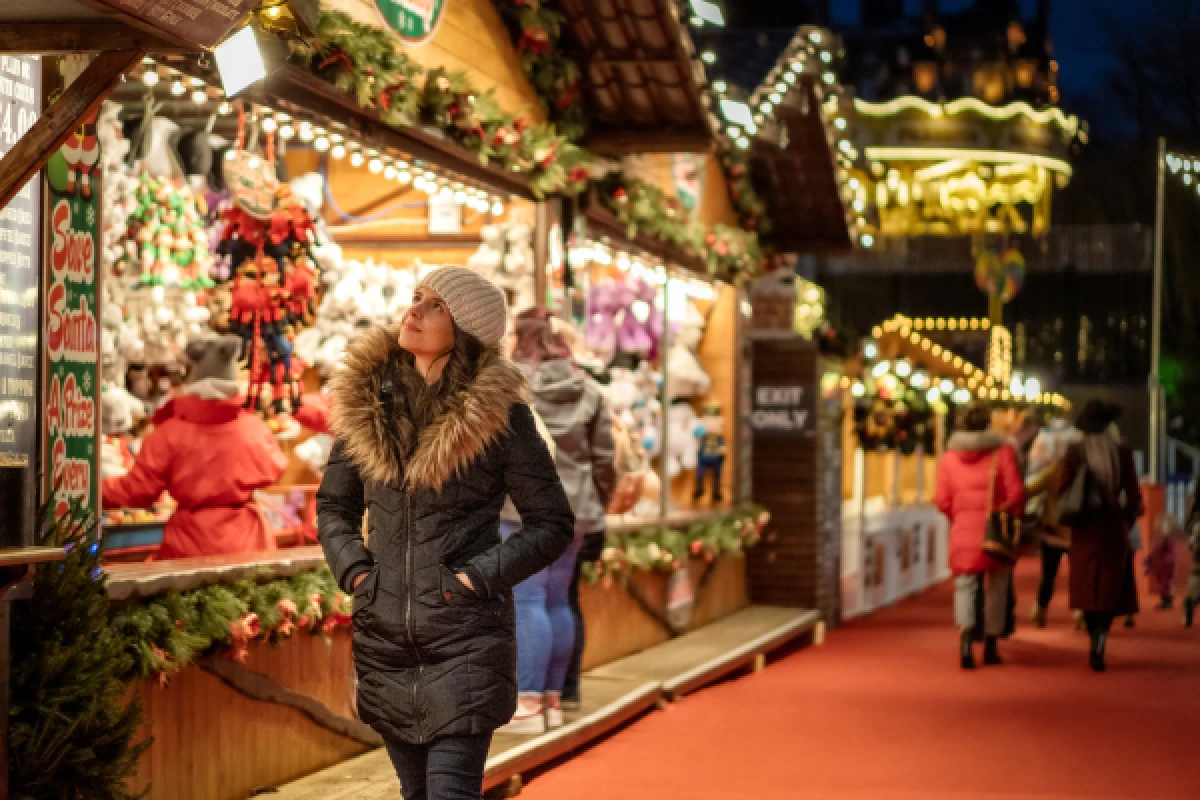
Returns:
(21, 250)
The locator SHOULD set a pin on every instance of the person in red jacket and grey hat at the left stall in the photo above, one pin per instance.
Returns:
(211, 454)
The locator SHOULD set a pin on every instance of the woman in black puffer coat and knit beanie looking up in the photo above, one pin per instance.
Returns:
(433, 432)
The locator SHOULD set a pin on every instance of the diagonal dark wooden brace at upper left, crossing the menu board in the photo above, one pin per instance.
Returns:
(49, 134)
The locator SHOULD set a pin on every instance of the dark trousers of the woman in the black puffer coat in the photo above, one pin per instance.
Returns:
(449, 768)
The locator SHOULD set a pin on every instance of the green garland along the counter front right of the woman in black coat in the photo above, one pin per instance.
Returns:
(665, 550)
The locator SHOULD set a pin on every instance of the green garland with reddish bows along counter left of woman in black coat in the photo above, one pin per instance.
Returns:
(169, 633)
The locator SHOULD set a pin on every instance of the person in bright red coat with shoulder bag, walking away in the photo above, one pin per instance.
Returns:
(979, 461)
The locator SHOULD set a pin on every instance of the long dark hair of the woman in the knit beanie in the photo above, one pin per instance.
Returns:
(417, 405)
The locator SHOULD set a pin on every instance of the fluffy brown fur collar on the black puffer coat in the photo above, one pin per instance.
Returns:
(477, 418)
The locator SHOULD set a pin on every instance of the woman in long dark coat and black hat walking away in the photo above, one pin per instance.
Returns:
(1102, 576)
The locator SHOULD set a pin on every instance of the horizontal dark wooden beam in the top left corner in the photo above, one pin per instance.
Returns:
(92, 37)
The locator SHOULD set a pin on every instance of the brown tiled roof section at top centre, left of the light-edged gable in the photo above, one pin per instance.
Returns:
(643, 80)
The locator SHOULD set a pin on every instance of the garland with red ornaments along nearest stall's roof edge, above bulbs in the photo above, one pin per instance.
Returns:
(364, 62)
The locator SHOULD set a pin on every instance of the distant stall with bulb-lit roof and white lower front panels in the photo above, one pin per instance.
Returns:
(899, 396)
